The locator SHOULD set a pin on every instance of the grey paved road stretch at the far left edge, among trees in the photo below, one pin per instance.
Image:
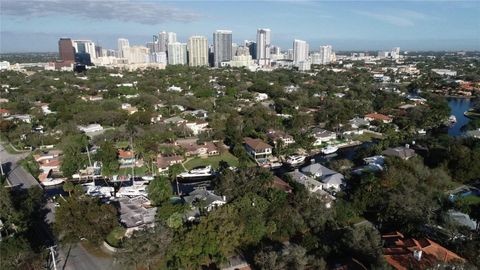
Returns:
(16, 174)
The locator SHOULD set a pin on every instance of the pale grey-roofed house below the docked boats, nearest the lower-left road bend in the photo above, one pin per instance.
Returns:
(136, 213)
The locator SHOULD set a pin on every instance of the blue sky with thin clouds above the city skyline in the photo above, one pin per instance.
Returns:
(36, 25)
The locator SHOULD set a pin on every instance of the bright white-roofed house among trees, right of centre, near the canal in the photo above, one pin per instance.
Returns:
(331, 180)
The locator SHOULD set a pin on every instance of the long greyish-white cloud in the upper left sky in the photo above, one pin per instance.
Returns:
(140, 11)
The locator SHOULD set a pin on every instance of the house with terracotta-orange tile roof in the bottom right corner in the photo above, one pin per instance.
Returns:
(408, 253)
